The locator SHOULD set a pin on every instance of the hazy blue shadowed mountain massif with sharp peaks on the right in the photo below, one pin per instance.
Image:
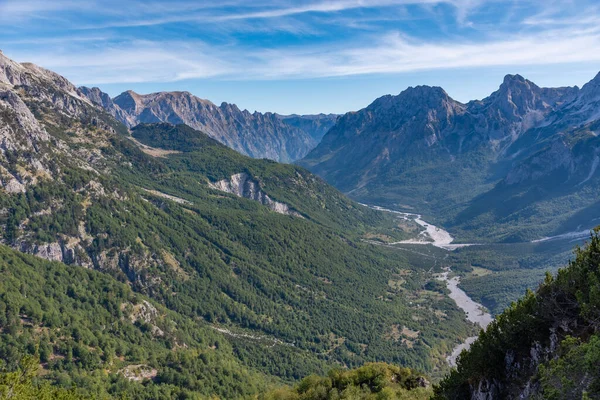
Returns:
(512, 156)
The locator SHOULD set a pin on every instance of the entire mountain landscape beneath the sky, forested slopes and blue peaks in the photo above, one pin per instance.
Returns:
(143, 258)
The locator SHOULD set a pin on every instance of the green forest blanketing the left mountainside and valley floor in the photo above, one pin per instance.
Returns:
(171, 288)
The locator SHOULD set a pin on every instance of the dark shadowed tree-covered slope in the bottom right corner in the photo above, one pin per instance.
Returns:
(546, 346)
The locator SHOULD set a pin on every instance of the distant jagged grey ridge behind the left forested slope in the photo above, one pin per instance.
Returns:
(255, 134)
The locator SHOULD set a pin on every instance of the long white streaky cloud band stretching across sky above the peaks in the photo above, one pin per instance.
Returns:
(145, 61)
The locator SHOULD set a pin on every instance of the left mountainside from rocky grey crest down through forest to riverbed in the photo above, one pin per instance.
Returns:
(265, 259)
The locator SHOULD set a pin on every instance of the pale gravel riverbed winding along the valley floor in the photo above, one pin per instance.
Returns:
(441, 238)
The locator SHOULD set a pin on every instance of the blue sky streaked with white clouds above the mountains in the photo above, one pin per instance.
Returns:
(305, 56)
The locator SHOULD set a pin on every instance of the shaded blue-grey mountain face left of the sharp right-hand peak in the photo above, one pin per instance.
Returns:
(364, 145)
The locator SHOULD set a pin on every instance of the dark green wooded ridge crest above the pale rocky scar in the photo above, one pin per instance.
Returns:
(207, 160)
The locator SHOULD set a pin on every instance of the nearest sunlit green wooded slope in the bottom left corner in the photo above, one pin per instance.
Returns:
(88, 330)
